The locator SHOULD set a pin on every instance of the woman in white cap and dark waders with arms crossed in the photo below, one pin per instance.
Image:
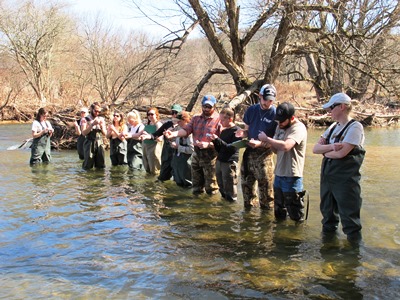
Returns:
(342, 148)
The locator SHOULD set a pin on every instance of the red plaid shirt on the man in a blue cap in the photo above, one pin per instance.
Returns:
(200, 125)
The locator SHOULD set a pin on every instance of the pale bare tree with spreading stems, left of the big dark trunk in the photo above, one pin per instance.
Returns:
(122, 68)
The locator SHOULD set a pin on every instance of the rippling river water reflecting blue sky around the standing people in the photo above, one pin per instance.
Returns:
(113, 233)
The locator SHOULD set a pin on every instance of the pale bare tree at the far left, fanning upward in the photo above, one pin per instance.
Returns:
(30, 34)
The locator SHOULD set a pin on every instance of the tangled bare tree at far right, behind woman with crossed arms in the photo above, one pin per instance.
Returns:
(345, 44)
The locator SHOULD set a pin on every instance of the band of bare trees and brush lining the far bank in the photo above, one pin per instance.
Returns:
(213, 46)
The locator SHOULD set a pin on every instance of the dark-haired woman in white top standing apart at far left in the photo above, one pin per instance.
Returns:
(41, 133)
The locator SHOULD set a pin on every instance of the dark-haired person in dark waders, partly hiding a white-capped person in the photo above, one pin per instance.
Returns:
(93, 127)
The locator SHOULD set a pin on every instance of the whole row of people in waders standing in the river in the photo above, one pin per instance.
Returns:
(202, 153)
